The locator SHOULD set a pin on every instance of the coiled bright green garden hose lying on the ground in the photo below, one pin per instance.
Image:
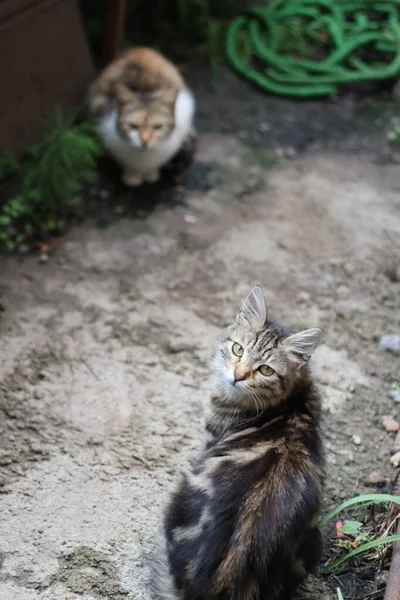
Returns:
(310, 47)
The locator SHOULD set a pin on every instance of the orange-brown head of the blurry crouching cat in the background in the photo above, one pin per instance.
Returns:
(145, 121)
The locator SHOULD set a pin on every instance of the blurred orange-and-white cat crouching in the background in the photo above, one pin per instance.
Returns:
(144, 112)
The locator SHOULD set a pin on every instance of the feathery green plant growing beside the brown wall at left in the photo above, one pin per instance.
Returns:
(51, 175)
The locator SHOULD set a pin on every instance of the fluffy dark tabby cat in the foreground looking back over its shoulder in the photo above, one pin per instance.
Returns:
(242, 522)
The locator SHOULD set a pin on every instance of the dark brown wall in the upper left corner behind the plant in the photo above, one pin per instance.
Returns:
(44, 61)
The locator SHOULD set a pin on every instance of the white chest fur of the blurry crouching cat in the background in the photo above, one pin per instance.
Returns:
(145, 160)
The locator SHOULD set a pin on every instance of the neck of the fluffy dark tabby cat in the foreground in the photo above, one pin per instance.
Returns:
(222, 421)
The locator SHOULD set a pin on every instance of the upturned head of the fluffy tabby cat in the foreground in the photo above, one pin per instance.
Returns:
(257, 364)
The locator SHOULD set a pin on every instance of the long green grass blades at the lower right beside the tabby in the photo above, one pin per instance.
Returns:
(354, 527)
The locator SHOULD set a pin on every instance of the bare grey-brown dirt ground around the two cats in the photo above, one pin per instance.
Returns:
(104, 350)
